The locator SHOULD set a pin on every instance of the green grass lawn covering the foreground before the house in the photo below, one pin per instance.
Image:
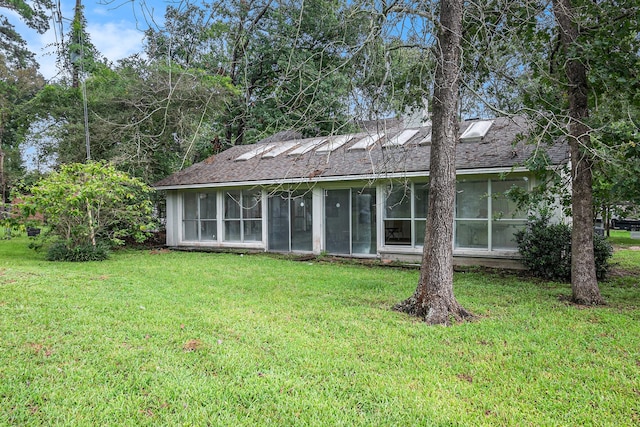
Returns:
(174, 338)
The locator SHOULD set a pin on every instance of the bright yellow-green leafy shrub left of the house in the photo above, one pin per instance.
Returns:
(85, 204)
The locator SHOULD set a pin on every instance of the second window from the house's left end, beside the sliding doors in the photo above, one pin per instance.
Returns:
(243, 216)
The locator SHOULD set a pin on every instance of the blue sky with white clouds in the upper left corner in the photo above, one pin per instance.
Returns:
(116, 29)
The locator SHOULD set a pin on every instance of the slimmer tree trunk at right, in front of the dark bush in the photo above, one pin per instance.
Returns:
(584, 283)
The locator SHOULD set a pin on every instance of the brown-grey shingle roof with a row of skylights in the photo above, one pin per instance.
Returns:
(495, 151)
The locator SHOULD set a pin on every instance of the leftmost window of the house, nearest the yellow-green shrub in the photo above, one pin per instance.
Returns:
(199, 216)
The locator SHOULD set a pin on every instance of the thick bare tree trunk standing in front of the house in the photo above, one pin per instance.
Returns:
(433, 299)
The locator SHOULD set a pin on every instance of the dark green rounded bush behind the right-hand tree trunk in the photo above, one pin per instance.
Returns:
(546, 250)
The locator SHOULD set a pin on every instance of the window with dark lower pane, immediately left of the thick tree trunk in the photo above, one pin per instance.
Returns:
(406, 214)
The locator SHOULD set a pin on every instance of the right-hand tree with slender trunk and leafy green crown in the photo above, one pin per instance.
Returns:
(584, 61)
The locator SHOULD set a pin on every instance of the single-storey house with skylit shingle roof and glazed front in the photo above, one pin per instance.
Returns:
(362, 195)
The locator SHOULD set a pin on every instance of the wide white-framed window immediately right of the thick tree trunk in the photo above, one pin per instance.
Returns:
(486, 219)
